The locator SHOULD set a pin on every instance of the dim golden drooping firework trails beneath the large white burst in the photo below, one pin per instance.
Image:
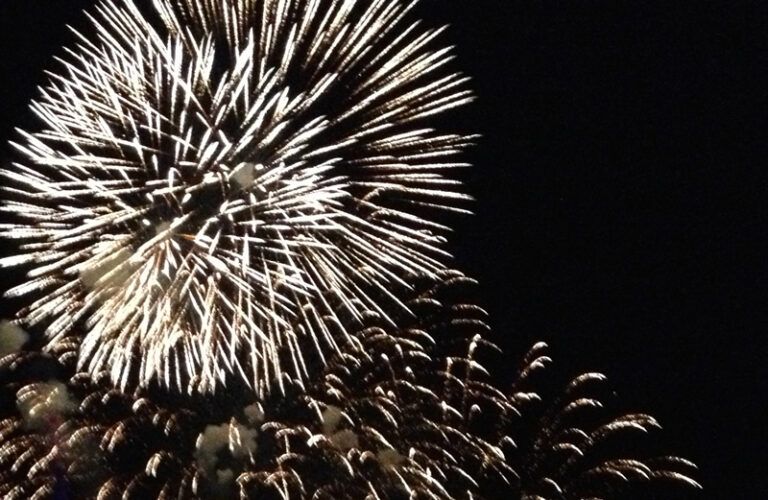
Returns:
(407, 413)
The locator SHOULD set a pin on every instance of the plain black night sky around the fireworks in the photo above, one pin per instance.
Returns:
(621, 186)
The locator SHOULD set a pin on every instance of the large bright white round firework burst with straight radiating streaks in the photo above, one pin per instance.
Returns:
(214, 187)
